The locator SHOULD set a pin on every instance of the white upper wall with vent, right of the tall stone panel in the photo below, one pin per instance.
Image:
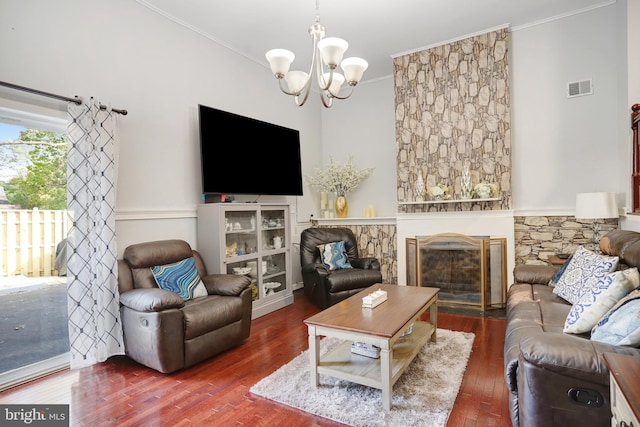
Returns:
(565, 146)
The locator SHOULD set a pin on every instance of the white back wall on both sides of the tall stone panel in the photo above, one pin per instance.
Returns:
(560, 146)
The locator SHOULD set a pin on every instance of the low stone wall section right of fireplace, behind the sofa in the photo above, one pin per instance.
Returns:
(538, 237)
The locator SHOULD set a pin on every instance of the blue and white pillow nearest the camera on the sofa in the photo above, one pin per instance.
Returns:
(621, 324)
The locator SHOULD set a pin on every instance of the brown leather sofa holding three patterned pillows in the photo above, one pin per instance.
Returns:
(556, 378)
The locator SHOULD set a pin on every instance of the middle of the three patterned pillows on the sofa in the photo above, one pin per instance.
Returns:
(595, 303)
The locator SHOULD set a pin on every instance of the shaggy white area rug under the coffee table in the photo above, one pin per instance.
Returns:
(423, 396)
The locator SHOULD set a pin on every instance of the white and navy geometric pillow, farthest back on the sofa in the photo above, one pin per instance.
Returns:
(584, 270)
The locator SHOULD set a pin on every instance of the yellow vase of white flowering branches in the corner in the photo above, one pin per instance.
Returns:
(340, 179)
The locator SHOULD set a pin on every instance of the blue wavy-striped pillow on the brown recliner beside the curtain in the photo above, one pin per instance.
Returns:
(180, 277)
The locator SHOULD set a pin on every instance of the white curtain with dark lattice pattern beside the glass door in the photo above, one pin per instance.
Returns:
(95, 331)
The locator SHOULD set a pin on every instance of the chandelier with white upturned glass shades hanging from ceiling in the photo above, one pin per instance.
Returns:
(327, 54)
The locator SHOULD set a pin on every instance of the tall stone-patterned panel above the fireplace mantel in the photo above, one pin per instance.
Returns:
(453, 106)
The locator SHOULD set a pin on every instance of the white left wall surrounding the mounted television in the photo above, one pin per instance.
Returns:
(122, 53)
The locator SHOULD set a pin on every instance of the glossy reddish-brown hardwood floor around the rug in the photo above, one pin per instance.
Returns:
(120, 392)
